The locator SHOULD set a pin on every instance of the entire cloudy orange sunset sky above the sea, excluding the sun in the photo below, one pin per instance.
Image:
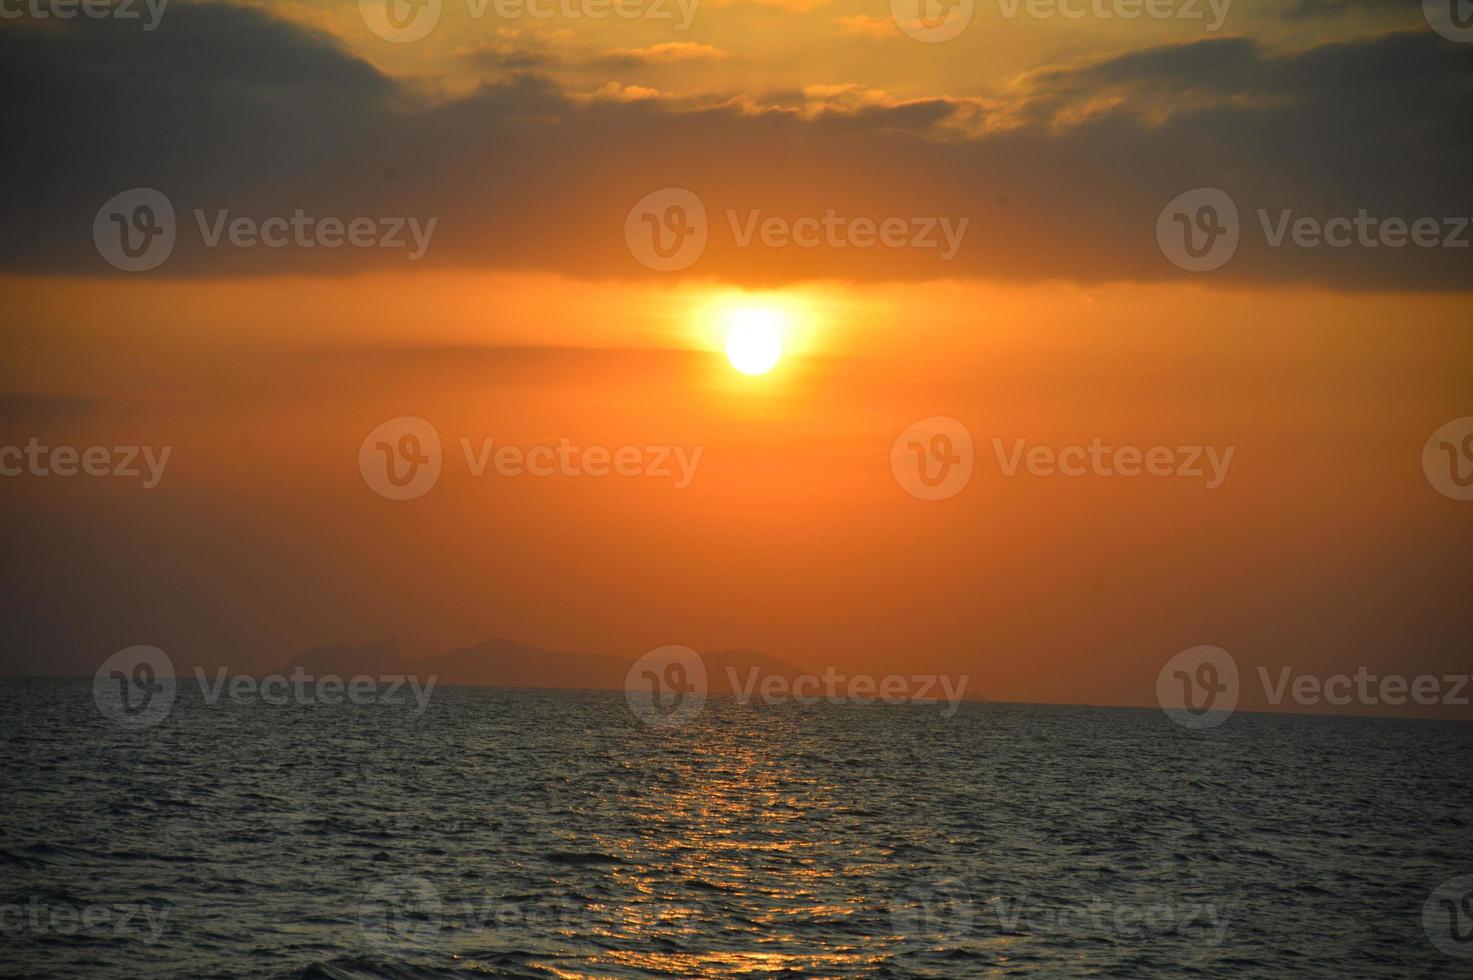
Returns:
(530, 322)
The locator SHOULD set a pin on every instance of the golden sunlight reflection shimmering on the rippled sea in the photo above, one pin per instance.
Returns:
(733, 825)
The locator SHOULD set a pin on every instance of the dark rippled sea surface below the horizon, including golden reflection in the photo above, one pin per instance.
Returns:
(553, 835)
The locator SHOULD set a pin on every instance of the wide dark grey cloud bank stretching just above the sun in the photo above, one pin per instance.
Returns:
(226, 108)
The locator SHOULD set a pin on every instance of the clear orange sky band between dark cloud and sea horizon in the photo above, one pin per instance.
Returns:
(1323, 546)
